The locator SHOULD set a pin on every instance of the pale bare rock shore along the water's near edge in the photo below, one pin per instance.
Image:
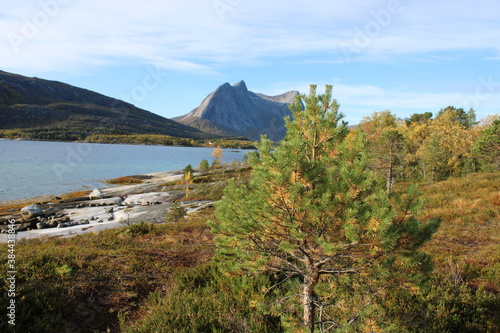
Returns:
(100, 209)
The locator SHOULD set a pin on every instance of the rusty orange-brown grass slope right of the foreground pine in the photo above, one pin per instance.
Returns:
(469, 235)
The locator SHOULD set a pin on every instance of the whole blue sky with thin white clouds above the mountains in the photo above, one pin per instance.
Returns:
(166, 56)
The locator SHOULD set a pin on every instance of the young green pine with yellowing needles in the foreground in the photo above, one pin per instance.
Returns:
(312, 211)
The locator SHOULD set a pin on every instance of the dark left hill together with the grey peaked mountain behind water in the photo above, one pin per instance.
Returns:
(51, 109)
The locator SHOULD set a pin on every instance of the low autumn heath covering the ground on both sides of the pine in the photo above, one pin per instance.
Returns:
(147, 278)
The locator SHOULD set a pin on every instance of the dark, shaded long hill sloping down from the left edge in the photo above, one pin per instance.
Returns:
(57, 110)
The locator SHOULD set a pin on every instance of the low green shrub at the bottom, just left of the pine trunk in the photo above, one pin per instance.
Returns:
(205, 300)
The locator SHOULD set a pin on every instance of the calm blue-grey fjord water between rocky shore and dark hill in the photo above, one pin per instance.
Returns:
(36, 168)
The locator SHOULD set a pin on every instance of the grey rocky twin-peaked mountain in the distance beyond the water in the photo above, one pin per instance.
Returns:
(236, 111)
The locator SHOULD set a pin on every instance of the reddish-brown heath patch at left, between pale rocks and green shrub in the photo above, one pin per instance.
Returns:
(88, 282)
